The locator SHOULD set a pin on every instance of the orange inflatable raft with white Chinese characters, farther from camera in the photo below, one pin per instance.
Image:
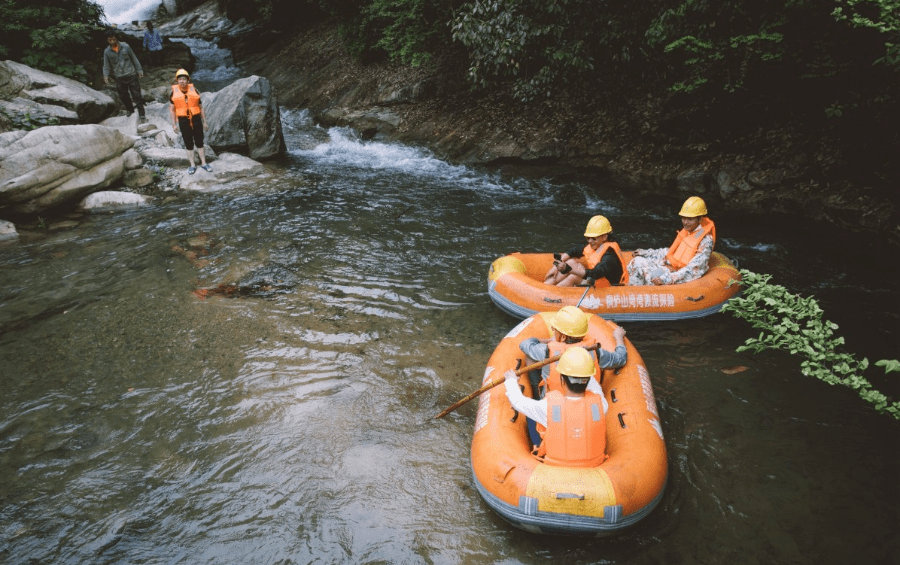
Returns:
(515, 284)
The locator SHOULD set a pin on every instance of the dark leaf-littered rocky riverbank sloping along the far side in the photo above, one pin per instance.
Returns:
(783, 169)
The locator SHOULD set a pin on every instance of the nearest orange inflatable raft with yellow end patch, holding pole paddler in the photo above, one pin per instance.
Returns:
(544, 498)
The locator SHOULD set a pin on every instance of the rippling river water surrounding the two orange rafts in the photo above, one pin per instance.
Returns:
(289, 420)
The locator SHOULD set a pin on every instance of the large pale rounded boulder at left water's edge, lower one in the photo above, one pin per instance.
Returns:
(46, 167)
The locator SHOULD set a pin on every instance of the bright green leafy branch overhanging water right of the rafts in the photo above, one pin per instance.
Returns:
(791, 323)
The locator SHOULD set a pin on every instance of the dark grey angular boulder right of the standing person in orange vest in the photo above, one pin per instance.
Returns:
(244, 118)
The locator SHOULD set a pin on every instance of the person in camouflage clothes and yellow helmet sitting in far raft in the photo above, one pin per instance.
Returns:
(686, 259)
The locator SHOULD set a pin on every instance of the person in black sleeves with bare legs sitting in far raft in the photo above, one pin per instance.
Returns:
(600, 260)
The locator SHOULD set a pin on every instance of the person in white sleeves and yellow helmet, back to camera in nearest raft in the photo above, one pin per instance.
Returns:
(573, 419)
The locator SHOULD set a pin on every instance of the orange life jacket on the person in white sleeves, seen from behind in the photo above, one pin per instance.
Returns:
(576, 431)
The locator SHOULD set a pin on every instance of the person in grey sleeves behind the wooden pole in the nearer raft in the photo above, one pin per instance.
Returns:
(569, 327)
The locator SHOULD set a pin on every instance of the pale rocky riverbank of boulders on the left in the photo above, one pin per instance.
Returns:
(46, 169)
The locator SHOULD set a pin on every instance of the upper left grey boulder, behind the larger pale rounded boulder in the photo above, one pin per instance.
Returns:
(18, 81)
